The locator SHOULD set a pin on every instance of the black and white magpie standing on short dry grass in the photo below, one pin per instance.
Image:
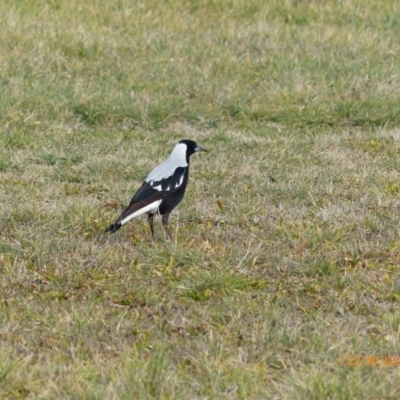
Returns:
(162, 190)
